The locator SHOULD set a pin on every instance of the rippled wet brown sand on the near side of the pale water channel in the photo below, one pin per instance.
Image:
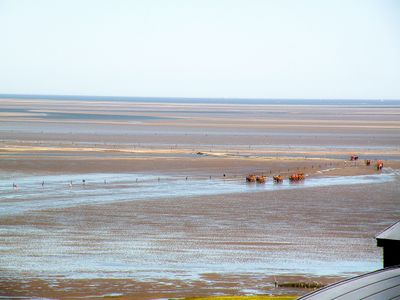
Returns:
(231, 243)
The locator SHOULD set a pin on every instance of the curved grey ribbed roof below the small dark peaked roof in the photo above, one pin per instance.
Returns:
(381, 284)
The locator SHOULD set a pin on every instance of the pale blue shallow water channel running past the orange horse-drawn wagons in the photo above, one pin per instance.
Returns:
(61, 191)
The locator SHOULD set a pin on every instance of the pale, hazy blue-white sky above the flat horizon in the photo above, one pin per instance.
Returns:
(346, 49)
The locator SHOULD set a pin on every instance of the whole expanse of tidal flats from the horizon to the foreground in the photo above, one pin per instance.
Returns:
(149, 200)
